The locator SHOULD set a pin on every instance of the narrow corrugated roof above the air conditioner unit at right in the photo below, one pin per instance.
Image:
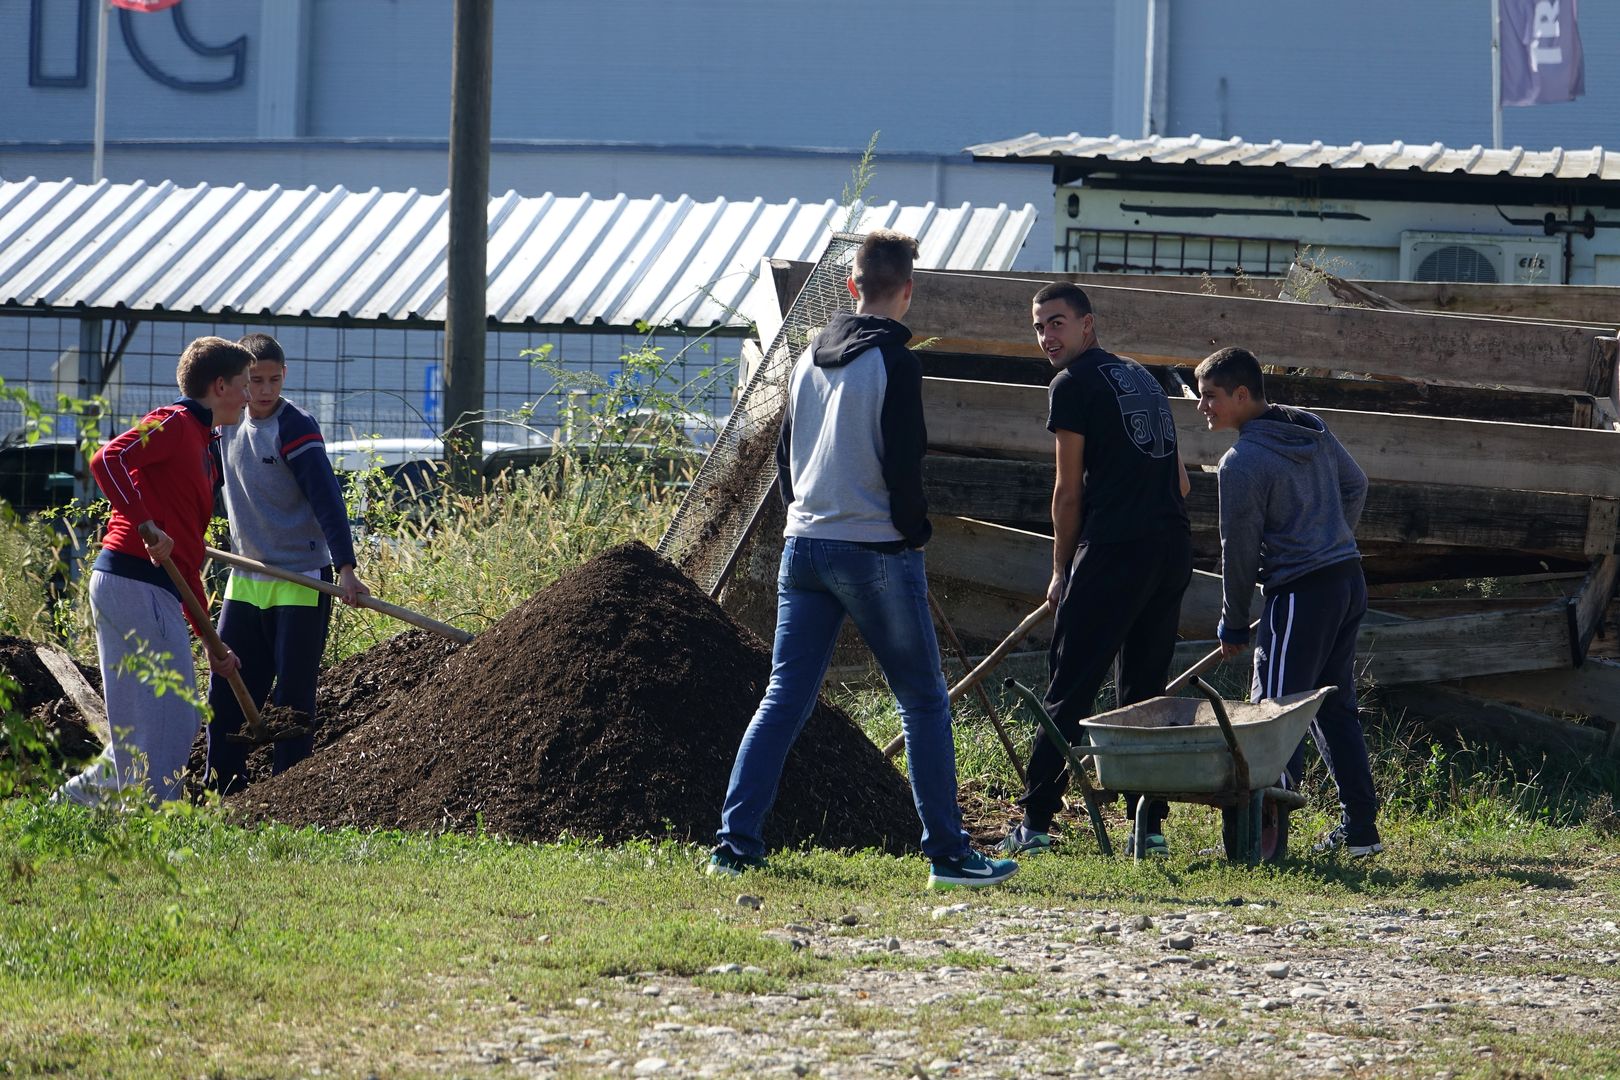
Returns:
(1195, 150)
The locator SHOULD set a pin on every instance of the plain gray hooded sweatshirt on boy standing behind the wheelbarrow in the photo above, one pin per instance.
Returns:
(1290, 500)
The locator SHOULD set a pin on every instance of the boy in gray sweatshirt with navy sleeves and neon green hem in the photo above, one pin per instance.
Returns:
(286, 511)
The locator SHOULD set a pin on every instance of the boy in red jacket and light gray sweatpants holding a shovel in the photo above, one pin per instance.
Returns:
(160, 478)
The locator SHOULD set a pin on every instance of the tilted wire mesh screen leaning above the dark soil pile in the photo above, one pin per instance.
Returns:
(725, 500)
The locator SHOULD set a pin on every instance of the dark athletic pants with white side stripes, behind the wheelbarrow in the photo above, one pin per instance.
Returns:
(1308, 640)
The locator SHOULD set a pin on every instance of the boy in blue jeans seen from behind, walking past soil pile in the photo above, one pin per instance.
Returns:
(850, 466)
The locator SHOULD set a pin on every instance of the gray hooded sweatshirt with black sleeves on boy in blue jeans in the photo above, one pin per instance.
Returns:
(850, 459)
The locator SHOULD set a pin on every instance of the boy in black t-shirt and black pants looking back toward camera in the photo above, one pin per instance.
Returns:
(1122, 551)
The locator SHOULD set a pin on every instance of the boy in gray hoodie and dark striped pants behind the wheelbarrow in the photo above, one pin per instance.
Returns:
(1290, 500)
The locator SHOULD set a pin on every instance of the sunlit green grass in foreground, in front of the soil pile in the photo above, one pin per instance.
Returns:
(139, 942)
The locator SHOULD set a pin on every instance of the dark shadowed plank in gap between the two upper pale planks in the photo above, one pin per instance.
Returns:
(1558, 409)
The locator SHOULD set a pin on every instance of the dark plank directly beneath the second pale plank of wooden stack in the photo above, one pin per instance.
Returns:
(1020, 493)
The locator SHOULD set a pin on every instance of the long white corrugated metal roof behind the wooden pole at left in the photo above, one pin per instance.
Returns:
(380, 255)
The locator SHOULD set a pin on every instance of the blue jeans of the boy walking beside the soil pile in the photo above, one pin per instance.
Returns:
(887, 595)
